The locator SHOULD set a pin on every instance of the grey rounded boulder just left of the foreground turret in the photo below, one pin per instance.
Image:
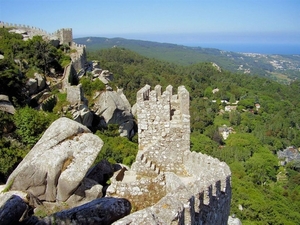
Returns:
(114, 108)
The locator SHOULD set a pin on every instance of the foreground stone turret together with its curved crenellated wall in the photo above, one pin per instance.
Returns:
(169, 184)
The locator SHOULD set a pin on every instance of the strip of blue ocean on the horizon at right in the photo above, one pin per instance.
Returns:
(282, 49)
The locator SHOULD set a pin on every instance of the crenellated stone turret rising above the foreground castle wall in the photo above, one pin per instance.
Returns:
(163, 129)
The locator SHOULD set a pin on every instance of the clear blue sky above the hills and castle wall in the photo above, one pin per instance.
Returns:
(173, 21)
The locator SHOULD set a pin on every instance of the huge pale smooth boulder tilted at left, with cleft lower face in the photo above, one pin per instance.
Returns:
(57, 164)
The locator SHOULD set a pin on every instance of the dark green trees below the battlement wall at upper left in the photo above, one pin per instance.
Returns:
(22, 59)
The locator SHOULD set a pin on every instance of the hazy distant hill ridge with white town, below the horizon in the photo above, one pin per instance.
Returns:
(282, 68)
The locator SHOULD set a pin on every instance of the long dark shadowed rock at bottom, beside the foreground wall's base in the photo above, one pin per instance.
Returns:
(100, 211)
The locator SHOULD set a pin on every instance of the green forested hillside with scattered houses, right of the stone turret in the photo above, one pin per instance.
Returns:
(263, 191)
